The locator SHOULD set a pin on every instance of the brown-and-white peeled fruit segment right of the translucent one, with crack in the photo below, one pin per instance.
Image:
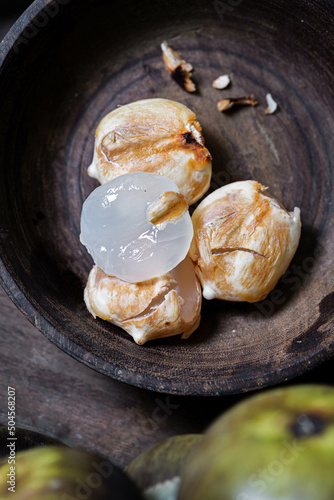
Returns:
(244, 242)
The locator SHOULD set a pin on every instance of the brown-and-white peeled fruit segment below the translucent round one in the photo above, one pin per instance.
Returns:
(157, 308)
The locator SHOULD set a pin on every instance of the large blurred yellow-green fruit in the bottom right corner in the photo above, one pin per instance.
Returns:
(276, 445)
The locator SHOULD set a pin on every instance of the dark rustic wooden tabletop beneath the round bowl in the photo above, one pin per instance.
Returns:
(60, 397)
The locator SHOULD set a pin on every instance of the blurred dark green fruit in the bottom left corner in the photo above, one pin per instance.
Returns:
(61, 473)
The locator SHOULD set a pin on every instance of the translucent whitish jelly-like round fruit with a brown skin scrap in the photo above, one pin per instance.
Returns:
(117, 232)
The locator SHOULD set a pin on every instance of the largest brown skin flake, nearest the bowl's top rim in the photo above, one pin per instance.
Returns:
(178, 68)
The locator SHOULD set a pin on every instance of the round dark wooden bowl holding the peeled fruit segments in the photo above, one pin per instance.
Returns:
(64, 65)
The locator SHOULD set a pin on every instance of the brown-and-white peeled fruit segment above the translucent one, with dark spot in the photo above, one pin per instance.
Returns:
(157, 136)
